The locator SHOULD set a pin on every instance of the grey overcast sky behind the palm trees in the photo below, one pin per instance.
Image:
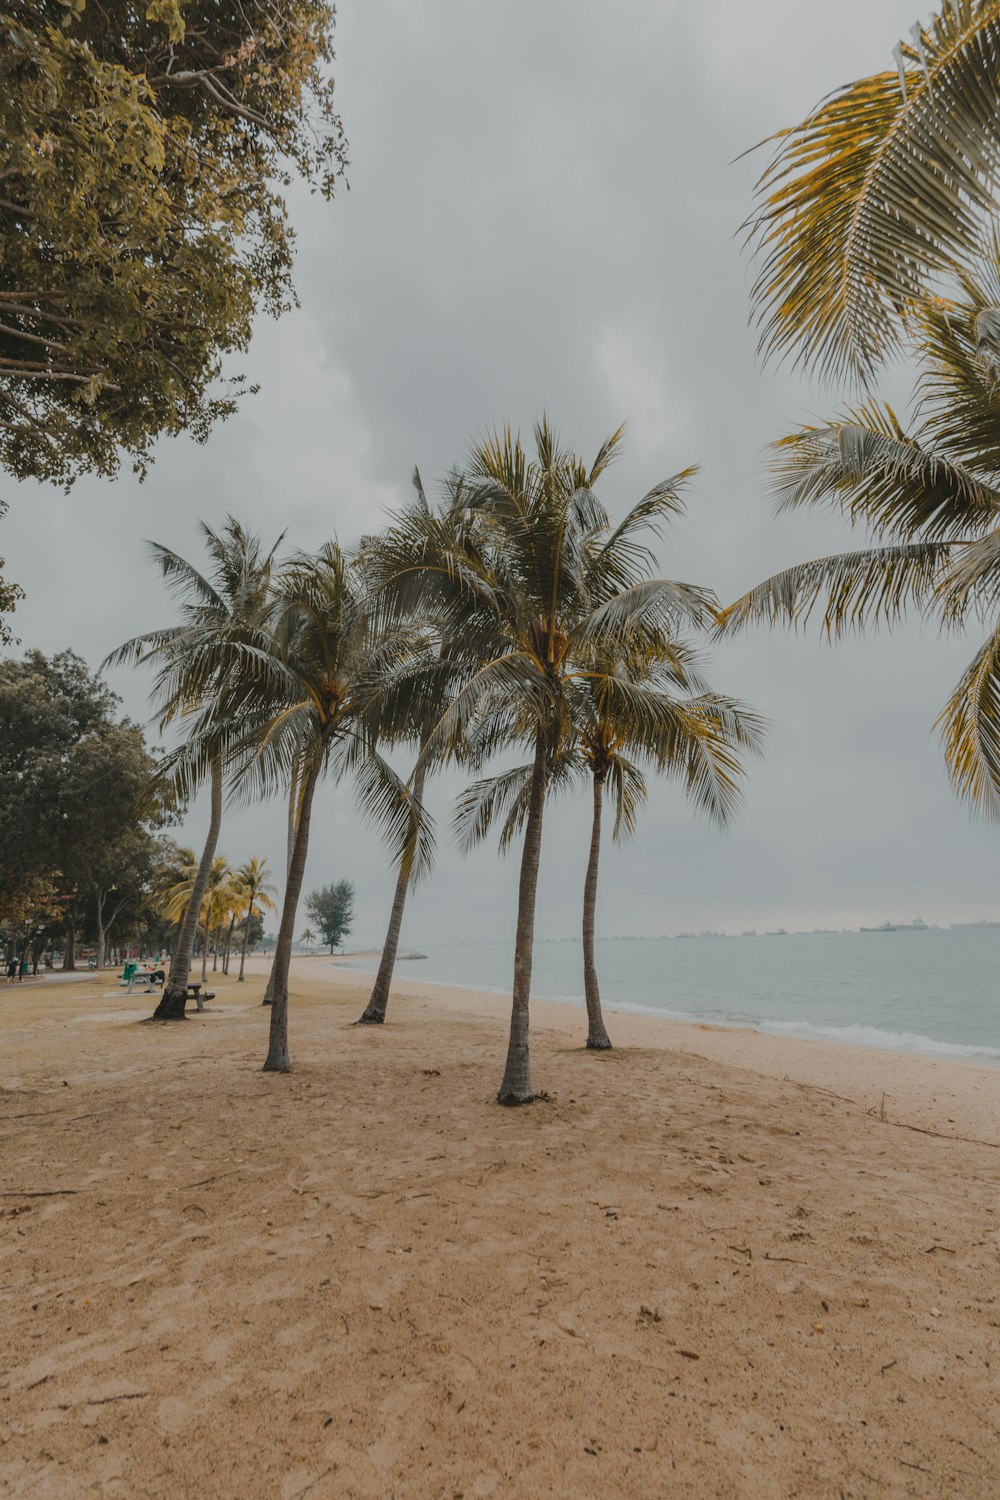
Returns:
(543, 214)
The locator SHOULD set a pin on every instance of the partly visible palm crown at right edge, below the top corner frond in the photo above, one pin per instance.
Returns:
(933, 502)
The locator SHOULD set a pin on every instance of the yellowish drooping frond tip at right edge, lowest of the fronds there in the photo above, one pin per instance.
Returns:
(971, 731)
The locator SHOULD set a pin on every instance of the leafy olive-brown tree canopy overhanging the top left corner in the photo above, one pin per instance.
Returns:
(143, 220)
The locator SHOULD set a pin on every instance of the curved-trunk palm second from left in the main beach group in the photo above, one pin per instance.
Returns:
(304, 700)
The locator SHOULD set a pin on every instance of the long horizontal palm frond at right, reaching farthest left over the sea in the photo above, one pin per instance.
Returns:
(854, 590)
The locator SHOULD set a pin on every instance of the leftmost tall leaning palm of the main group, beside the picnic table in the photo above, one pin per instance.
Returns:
(191, 670)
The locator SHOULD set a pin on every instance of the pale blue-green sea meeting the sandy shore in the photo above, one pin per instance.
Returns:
(933, 992)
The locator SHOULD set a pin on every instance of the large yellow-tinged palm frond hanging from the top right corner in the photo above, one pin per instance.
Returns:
(885, 187)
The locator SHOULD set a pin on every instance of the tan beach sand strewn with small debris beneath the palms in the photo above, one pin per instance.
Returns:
(711, 1264)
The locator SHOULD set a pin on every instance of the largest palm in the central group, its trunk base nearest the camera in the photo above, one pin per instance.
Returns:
(528, 583)
